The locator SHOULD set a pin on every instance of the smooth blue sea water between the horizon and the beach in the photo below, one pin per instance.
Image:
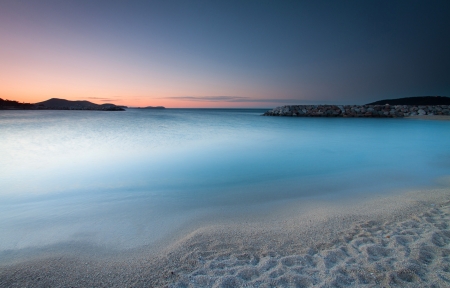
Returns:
(125, 179)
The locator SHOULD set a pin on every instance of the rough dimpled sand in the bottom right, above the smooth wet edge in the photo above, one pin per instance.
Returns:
(414, 252)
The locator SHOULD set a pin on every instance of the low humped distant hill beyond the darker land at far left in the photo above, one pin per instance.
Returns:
(63, 104)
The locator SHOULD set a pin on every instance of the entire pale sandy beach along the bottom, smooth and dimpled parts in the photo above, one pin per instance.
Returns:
(397, 239)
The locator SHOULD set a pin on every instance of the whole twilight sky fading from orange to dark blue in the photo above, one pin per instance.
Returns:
(186, 54)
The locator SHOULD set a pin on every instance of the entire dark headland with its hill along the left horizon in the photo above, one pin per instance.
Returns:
(59, 104)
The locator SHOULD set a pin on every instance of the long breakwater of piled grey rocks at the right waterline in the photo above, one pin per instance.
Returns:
(378, 111)
